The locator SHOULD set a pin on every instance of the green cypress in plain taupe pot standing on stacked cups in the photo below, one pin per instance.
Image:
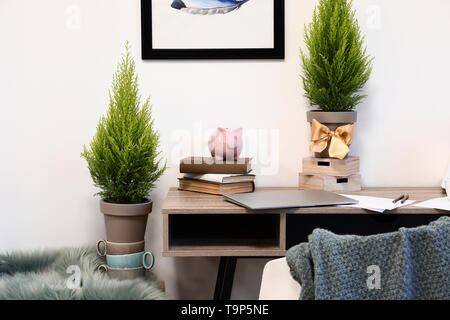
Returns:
(123, 157)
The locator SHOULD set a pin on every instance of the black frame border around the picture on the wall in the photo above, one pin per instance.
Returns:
(149, 53)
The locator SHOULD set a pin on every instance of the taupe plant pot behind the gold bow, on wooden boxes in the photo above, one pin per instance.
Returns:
(332, 120)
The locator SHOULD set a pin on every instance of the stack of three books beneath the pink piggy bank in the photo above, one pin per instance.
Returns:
(208, 175)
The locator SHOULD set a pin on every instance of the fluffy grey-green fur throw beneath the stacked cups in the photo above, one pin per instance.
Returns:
(67, 274)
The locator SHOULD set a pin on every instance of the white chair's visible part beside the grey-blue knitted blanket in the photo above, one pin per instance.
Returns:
(277, 282)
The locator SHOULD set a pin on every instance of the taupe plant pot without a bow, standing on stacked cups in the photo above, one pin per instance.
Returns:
(125, 223)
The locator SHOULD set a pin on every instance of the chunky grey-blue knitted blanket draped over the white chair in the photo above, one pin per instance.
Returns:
(411, 263)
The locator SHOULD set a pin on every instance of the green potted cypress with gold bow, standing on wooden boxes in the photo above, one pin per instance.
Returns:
(336, 67)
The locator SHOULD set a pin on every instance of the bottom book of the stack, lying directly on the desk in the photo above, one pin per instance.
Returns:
(214, 187)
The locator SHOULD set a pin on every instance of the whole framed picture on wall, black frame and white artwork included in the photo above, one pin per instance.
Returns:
(212, 29)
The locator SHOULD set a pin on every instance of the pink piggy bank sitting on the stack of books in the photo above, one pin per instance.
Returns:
(226, 144)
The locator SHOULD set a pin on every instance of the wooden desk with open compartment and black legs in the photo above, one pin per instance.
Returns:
(202, 225)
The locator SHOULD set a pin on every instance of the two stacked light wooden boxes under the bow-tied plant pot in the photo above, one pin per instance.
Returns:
(330, 174)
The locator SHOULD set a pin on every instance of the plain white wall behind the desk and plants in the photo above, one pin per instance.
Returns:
(53, 88)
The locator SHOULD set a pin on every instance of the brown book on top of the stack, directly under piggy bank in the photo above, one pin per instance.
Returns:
(211, 165)
